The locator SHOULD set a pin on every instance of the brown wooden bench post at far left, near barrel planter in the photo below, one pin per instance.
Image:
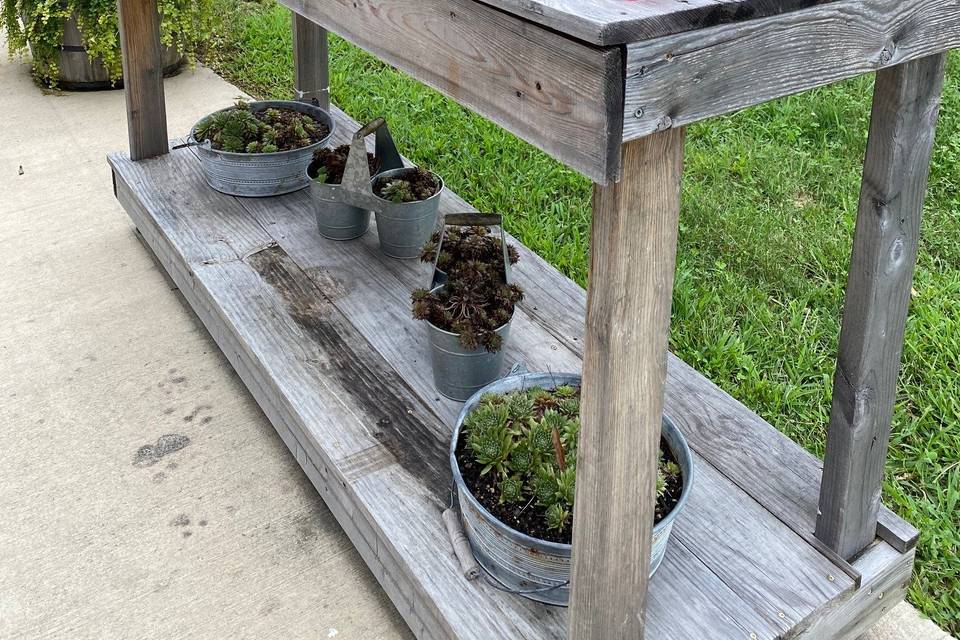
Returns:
(143, 77)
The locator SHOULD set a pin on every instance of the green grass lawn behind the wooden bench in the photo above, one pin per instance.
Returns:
(769, 200)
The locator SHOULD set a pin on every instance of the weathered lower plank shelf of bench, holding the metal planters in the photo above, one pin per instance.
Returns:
(321, 334)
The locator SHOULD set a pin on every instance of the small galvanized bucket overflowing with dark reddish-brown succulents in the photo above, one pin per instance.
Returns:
(459, 372)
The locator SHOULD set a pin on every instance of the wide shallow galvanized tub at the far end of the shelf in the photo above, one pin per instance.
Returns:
(261, 174)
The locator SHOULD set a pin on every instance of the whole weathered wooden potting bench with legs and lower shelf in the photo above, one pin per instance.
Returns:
(773, 543)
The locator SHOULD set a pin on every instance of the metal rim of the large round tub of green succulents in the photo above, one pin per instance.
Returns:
(560, 548)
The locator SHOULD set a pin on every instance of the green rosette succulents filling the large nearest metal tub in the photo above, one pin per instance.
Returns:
(528, 441)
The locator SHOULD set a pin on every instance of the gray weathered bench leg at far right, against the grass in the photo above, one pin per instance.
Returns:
(906, 103)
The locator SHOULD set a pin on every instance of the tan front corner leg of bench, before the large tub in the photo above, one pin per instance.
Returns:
(632, 263)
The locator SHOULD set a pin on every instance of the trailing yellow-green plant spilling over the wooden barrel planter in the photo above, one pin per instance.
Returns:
(37, 26)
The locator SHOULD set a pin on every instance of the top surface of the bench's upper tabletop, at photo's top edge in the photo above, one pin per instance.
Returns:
(608, 22)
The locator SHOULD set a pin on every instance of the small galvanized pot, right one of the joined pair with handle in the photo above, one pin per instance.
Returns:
(404, 227)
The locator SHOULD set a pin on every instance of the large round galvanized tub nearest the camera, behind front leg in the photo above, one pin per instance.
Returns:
(535, 568)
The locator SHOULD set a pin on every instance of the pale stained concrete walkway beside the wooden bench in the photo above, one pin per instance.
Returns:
(144, 493)
